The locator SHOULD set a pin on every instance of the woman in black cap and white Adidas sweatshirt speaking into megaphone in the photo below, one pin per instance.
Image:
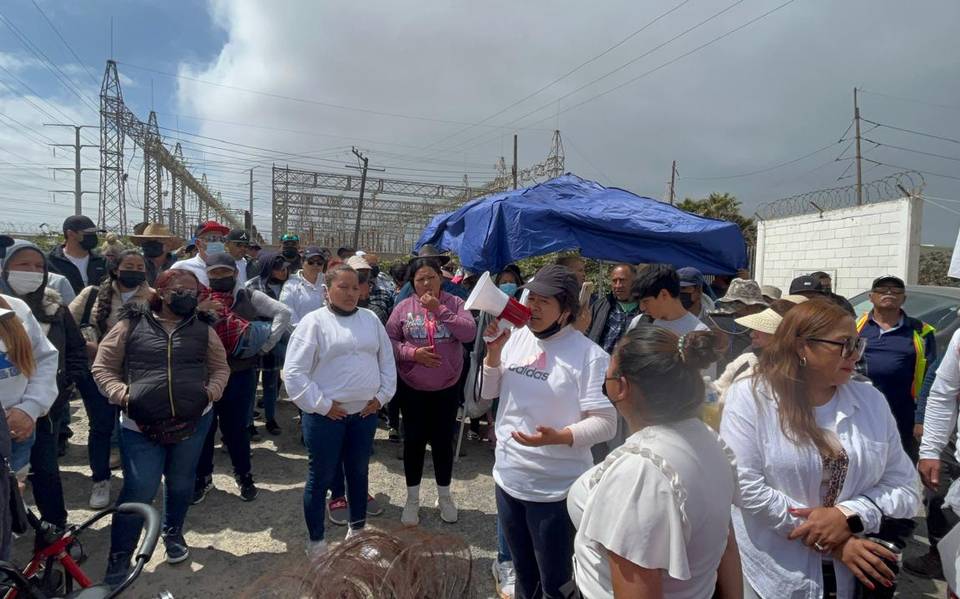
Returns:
(549, 379)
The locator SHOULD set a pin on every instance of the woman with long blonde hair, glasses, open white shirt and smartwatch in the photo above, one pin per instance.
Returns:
(819, 462)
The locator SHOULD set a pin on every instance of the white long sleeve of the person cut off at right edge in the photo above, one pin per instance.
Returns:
(940, 417)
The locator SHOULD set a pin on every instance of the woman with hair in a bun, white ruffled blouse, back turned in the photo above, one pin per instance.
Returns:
(653, 519)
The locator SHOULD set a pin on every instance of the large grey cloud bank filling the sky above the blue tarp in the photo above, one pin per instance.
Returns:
(770, 93)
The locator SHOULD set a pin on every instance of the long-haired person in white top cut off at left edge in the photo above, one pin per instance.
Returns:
(28, 375)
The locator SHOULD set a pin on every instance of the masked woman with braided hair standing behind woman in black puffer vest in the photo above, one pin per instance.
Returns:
(97, 310)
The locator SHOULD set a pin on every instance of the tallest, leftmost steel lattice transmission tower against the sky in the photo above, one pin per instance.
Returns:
(113, 211)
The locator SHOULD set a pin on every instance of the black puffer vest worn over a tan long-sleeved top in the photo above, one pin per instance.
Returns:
(166, 372)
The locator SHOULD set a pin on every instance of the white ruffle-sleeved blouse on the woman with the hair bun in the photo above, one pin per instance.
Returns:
(663, 503)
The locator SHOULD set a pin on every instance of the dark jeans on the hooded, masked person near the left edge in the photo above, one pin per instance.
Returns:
(45, 469)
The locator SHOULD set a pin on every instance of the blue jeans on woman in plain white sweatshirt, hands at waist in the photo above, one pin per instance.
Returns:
(329, 442)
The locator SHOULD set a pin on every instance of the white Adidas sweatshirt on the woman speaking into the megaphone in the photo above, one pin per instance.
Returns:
(550, 382)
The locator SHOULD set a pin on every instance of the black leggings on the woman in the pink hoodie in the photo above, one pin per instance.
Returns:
(428, 417)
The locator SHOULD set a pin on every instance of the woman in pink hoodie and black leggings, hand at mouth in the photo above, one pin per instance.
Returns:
(428, 330)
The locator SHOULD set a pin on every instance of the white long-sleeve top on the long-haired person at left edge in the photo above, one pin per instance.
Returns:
(36, 394)
